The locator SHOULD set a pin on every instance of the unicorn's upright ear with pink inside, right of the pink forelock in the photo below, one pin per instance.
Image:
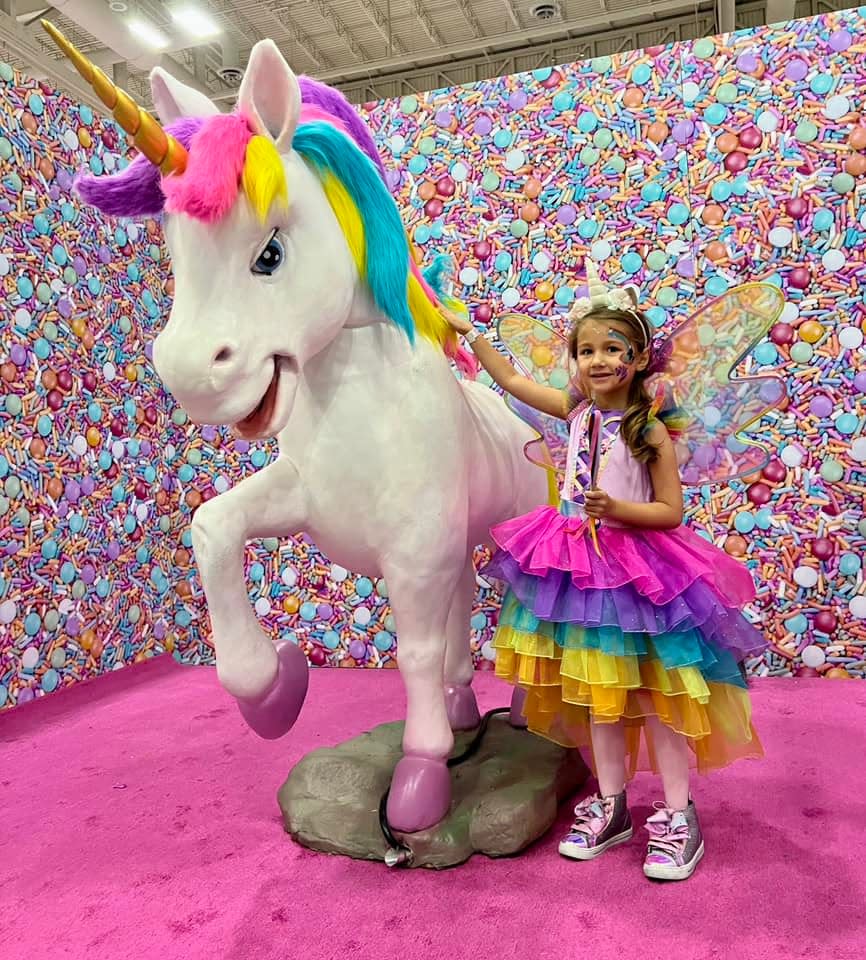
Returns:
(270, 97)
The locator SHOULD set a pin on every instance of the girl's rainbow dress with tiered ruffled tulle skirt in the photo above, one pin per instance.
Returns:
(650, 628)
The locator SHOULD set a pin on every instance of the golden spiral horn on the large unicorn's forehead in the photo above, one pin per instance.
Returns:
(159, 147)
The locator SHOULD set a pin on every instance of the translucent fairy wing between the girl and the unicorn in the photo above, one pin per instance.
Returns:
(541, 354)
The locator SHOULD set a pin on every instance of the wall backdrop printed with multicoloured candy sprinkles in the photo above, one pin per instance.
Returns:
(686, 169)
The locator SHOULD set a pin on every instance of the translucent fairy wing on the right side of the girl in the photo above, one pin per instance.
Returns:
(717, 404)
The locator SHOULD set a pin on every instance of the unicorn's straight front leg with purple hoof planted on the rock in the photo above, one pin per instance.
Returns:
(421, 786)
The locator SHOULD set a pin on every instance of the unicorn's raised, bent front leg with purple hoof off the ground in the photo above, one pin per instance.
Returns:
(269, 682)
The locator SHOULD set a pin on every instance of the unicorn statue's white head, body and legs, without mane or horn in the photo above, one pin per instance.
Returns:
(393, 466)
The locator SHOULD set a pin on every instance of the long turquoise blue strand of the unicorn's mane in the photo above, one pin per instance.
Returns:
(327, 149)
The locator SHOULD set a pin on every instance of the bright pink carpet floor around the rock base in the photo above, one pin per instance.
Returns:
(138, 820)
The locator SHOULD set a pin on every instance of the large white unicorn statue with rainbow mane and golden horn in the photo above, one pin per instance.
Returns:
(299, 313)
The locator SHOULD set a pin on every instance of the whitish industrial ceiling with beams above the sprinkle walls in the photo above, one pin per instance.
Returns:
(369, 48)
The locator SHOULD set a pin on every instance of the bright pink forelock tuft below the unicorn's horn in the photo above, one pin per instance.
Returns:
(209, 186)
